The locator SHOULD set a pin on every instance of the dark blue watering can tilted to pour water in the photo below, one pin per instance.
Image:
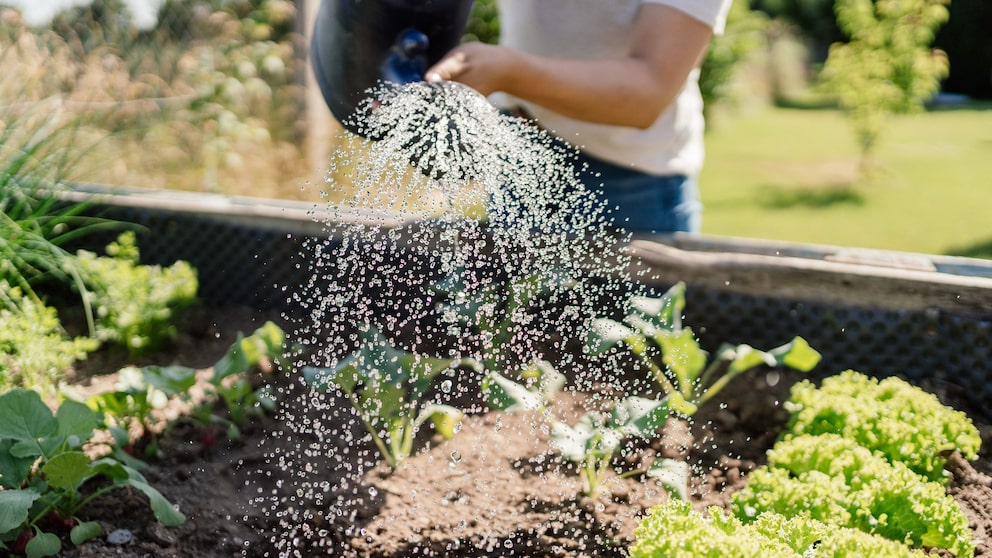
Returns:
(358, 44)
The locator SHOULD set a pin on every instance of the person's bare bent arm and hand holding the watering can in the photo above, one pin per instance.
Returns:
(632, 91)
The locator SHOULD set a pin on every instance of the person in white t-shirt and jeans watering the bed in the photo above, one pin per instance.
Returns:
(618, 80)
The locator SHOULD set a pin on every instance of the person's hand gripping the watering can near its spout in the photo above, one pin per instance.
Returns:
(483, 67)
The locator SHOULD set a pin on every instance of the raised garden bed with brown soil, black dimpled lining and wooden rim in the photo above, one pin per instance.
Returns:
(496, 489)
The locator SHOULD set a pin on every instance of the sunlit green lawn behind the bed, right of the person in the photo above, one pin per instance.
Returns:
(792, 175)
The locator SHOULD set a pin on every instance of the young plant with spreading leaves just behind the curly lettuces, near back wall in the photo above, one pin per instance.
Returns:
(653, 333)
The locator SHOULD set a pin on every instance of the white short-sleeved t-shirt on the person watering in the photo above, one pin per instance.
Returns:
(602, 29)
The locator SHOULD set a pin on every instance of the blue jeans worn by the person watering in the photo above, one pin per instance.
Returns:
(643, 203)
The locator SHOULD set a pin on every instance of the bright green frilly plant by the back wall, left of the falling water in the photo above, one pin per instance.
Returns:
(136, 305)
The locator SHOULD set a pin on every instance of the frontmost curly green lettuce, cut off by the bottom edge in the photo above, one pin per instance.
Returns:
(675, 530)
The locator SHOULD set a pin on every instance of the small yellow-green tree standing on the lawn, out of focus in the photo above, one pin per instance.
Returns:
(888, 66)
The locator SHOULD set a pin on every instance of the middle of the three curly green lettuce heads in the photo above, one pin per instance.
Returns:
(836, 481)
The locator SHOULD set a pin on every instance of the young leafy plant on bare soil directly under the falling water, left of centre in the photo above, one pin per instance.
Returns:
(387, 387)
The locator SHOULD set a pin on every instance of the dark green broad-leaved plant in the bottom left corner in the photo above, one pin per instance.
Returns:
(43, 471)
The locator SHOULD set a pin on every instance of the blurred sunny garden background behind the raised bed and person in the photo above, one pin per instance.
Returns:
(849, 122)
